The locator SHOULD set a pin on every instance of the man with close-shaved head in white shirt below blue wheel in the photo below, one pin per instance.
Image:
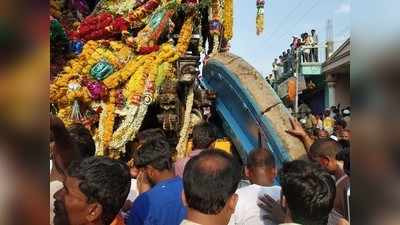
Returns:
(261, 171)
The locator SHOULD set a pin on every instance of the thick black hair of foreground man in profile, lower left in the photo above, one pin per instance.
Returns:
(105, 181)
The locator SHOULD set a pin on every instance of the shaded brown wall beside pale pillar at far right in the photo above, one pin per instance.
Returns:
(342, 90)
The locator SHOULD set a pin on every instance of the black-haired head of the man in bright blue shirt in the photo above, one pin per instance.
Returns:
(153, 158)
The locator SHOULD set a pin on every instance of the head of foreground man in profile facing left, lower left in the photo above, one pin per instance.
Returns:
(94, 192)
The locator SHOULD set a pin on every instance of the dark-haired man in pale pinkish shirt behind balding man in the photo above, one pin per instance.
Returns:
(203, 135)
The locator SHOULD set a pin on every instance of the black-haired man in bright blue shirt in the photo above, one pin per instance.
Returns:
(162, 204)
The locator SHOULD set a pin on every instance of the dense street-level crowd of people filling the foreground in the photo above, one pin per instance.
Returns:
(151, 187)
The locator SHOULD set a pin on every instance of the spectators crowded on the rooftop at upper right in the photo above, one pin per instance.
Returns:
(286, 62)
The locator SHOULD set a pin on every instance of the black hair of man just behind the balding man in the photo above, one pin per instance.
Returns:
(203, 135)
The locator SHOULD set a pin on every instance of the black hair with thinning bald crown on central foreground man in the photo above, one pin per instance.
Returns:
(209, 179)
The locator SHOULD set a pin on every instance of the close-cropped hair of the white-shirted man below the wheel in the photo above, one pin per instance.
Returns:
(260, 157)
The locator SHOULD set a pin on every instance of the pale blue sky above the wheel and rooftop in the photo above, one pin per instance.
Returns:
(282, 20)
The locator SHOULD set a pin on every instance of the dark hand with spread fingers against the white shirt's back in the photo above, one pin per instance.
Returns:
(274, 210)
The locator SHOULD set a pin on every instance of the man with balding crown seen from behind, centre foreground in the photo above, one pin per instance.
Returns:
(210, 181)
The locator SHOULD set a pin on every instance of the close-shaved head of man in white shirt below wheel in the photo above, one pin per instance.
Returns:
(260, 168)
